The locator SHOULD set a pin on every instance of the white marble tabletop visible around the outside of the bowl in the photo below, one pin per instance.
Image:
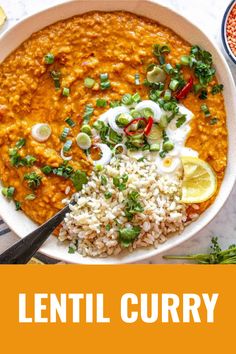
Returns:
(207, 14)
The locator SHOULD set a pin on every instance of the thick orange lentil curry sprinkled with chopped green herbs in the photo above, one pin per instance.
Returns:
(65, 76)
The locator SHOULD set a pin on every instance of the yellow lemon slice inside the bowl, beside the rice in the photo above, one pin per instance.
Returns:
(199, 183)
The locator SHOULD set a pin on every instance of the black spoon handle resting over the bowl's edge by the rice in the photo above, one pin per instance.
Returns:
(22, 251)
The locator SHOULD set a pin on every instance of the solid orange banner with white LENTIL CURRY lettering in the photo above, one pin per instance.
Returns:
(117, 309)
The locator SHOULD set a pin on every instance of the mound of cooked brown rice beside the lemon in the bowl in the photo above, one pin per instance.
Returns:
(163, 215)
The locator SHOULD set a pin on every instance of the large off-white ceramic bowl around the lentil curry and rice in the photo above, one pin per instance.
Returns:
(11, 39)
